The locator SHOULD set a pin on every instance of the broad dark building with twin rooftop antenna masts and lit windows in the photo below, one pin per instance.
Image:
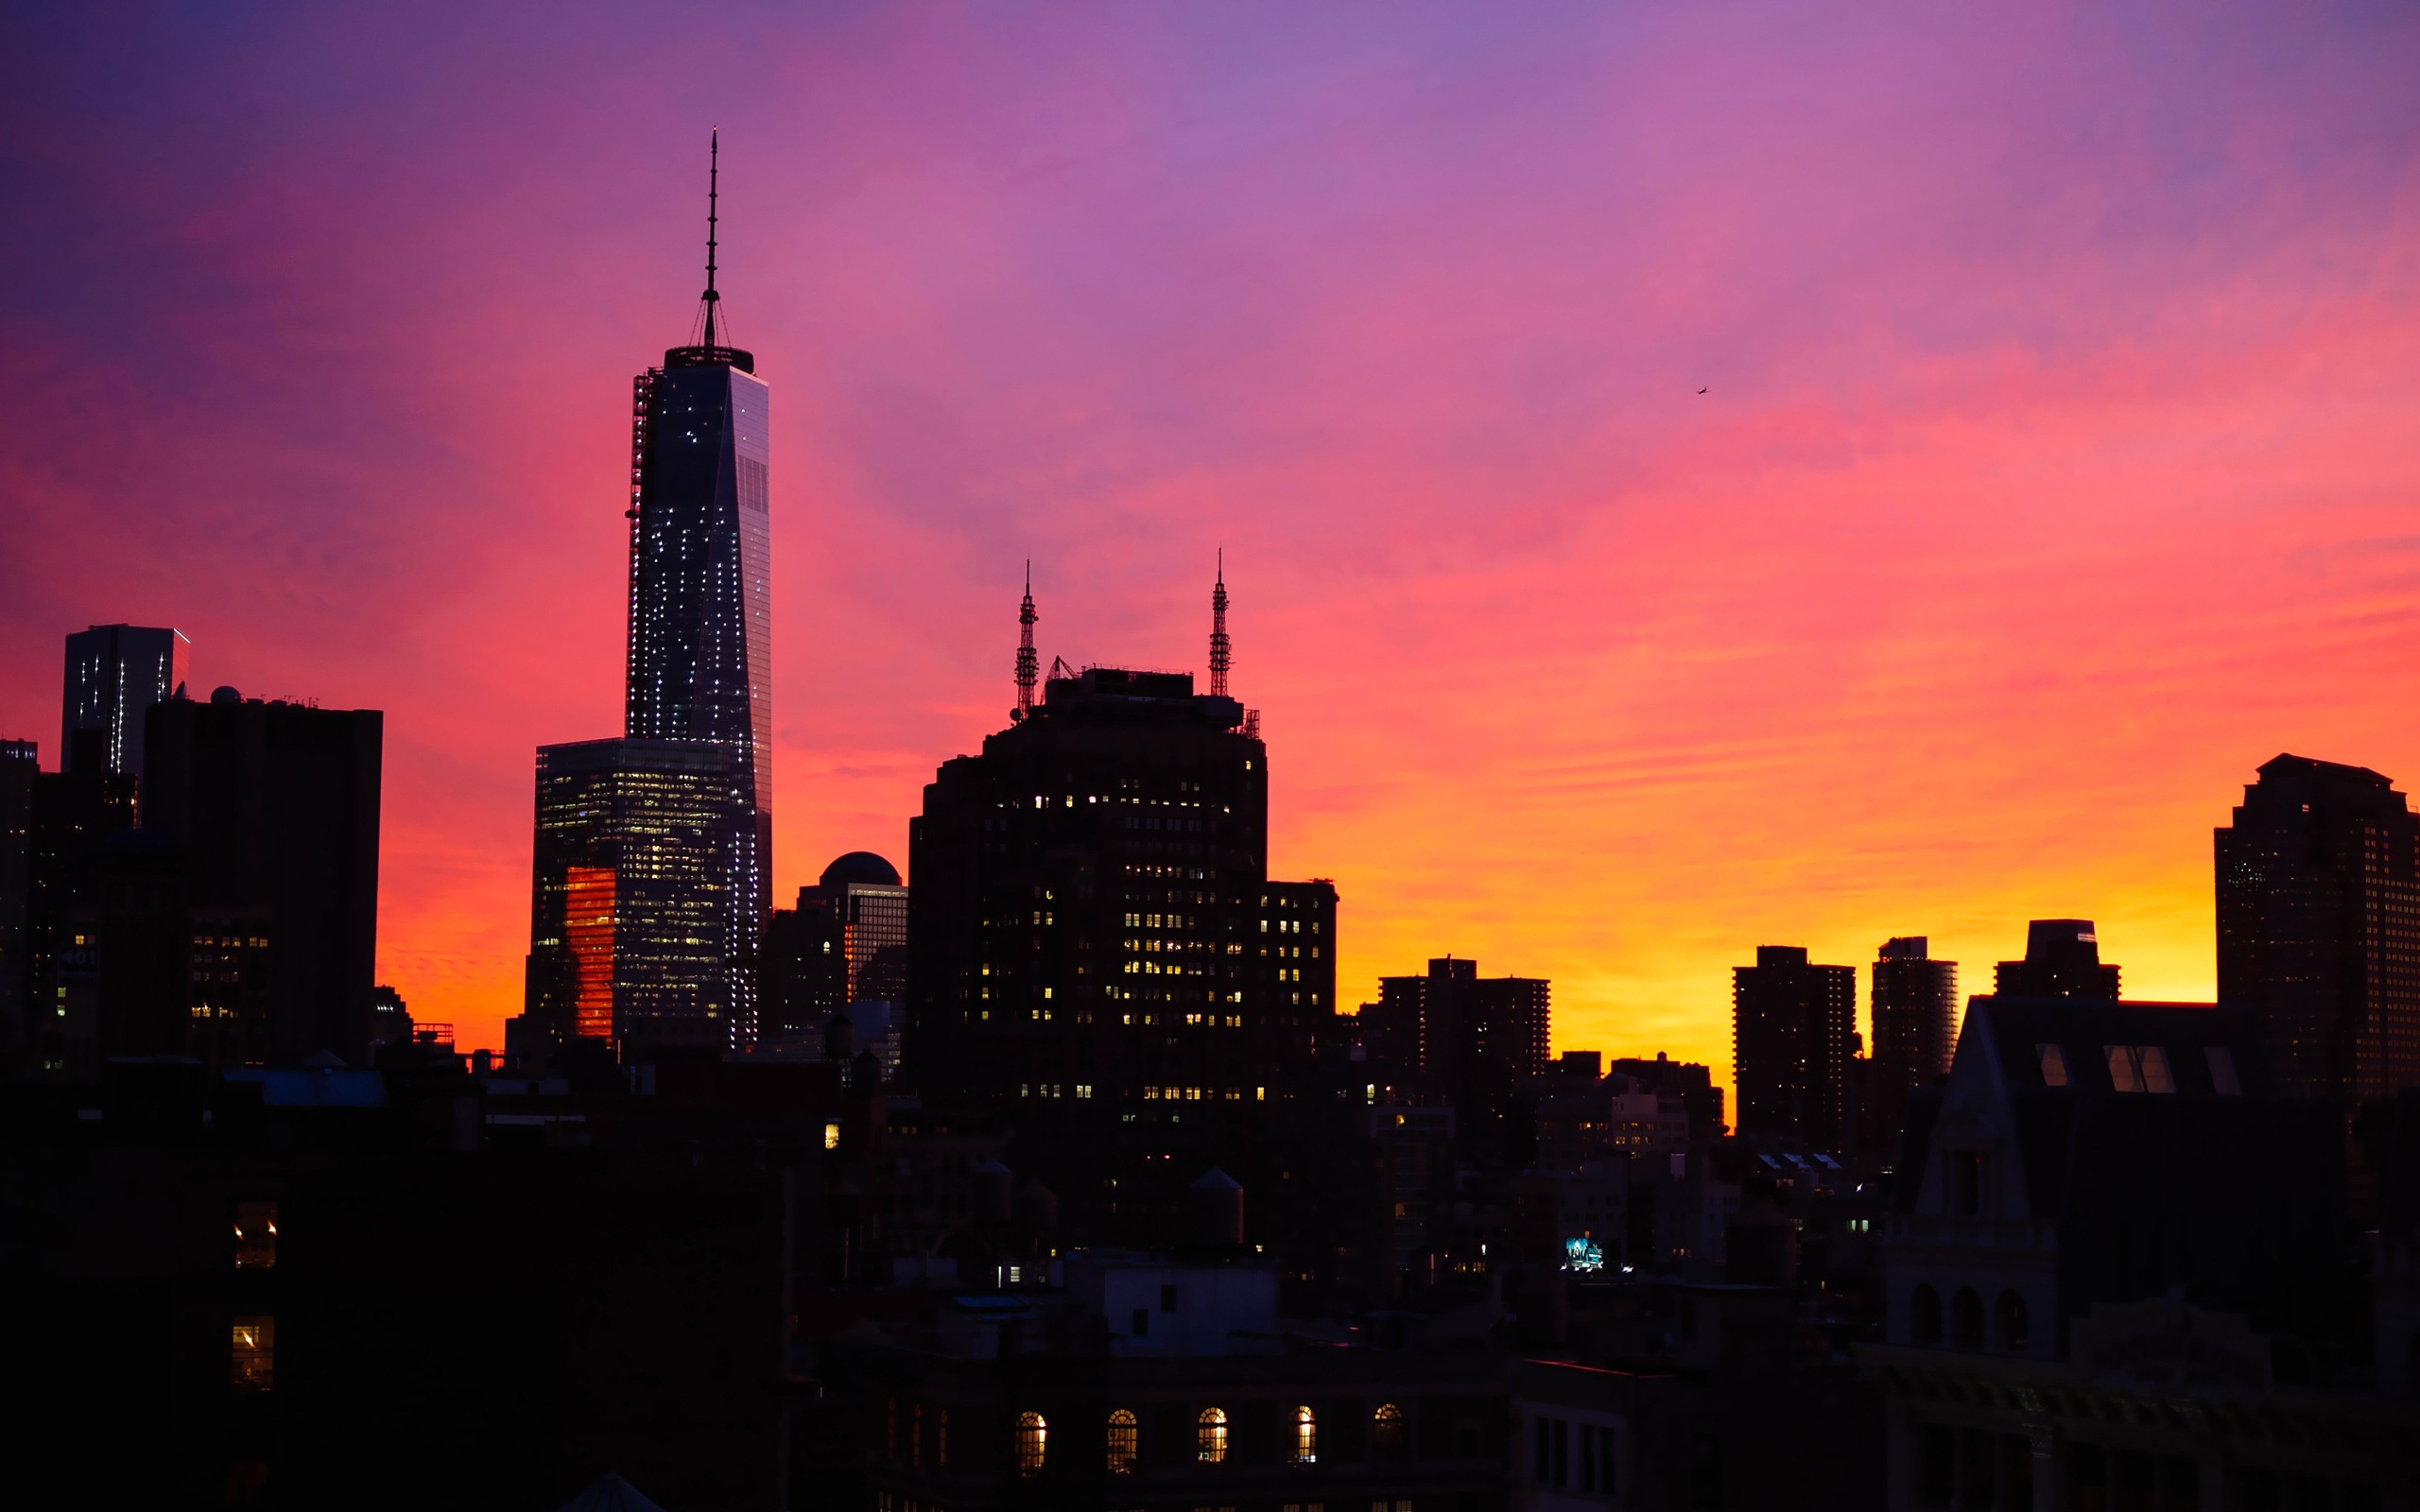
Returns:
(1097, 945)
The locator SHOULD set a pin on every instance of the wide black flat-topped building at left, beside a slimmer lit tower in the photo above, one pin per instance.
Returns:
(275, 809)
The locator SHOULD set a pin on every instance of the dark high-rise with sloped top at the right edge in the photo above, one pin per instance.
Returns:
(2320, 928)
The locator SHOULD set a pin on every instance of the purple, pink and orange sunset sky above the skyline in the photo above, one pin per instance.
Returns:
(1690, 478)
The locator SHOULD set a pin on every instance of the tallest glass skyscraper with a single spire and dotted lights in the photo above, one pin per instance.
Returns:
(701, 579)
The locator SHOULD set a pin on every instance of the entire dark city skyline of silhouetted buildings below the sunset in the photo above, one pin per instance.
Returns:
(1059, 1172)
